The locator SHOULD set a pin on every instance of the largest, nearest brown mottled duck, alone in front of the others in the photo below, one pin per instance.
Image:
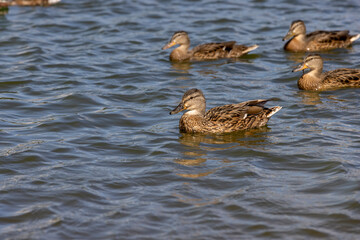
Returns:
(222, 119)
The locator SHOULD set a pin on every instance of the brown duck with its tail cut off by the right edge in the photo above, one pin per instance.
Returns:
(316, 80)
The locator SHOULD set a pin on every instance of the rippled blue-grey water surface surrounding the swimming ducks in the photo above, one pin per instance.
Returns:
(88, 149)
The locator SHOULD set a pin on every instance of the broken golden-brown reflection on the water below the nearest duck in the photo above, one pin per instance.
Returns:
(197, 164)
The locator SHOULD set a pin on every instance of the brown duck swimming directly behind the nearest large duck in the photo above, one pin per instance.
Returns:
(208, 51)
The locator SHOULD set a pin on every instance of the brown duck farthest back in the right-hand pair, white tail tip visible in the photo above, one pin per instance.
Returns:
(316, 41)
